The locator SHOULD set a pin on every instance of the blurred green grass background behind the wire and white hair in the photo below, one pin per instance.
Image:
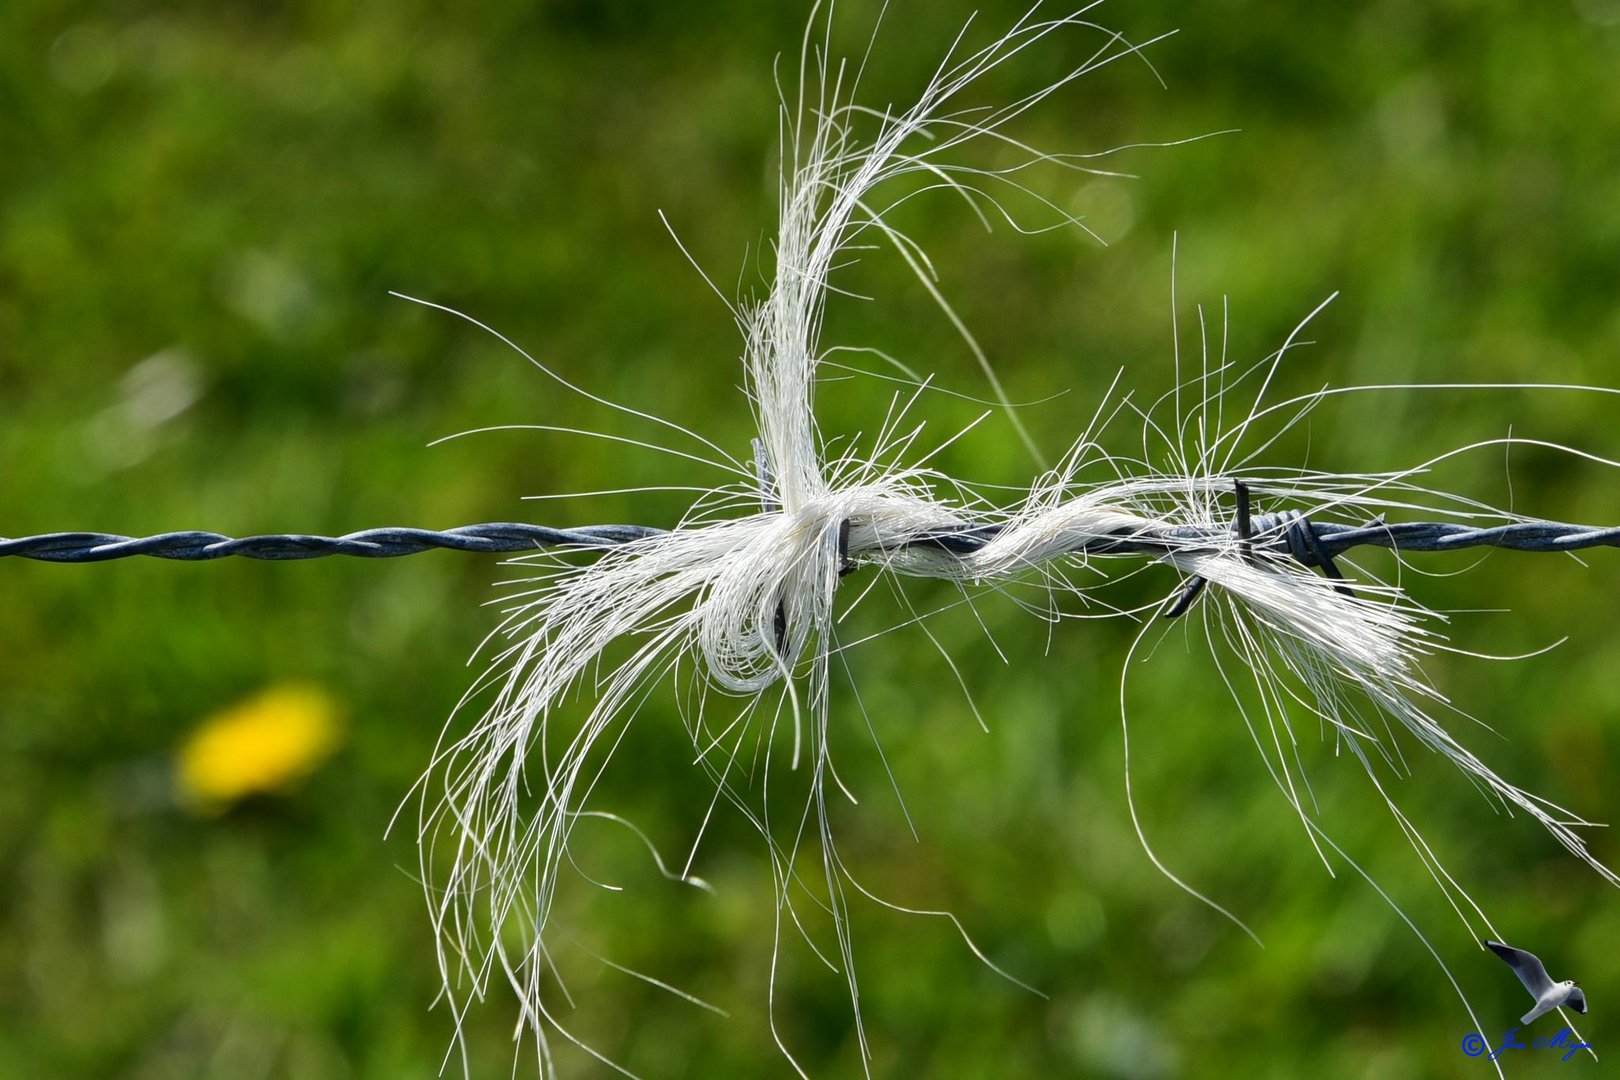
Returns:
(202, 211)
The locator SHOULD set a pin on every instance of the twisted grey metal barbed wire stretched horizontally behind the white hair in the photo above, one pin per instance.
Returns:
(1290, 534)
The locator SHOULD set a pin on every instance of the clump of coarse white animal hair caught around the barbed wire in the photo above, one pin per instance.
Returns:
(752, 595)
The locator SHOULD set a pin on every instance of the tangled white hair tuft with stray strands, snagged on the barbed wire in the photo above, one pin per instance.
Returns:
(748, 585)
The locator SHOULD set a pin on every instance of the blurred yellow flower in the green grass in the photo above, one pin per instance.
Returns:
(263, 744)
